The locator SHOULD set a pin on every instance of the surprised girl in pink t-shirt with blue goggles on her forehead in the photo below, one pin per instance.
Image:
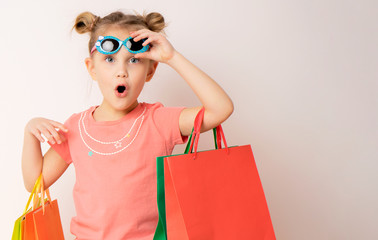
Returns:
(114, 146)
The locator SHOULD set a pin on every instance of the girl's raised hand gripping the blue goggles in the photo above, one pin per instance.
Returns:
(160, 50)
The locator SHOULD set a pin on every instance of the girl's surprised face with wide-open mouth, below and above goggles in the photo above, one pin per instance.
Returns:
(120, 69)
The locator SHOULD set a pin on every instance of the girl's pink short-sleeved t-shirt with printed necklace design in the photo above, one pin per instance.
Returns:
(115, 165)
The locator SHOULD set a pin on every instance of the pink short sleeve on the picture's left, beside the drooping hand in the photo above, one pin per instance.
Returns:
(63, 149)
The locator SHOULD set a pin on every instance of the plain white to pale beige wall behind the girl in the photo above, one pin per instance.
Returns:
(302, 75)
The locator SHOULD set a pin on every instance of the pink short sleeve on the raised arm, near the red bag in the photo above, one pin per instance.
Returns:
(167, 121)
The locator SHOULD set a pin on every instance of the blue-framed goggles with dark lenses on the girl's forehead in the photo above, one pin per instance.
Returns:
(110, 45)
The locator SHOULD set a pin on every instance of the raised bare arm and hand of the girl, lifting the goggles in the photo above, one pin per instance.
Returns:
(218, 106)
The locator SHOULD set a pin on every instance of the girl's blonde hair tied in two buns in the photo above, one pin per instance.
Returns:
(95, 25)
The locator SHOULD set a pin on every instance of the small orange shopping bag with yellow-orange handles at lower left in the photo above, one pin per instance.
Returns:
(42, 222)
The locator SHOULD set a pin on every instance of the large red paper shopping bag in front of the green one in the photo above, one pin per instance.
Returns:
(215, 194)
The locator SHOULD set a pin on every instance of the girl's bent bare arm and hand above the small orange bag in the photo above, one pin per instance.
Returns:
(33, 162)
